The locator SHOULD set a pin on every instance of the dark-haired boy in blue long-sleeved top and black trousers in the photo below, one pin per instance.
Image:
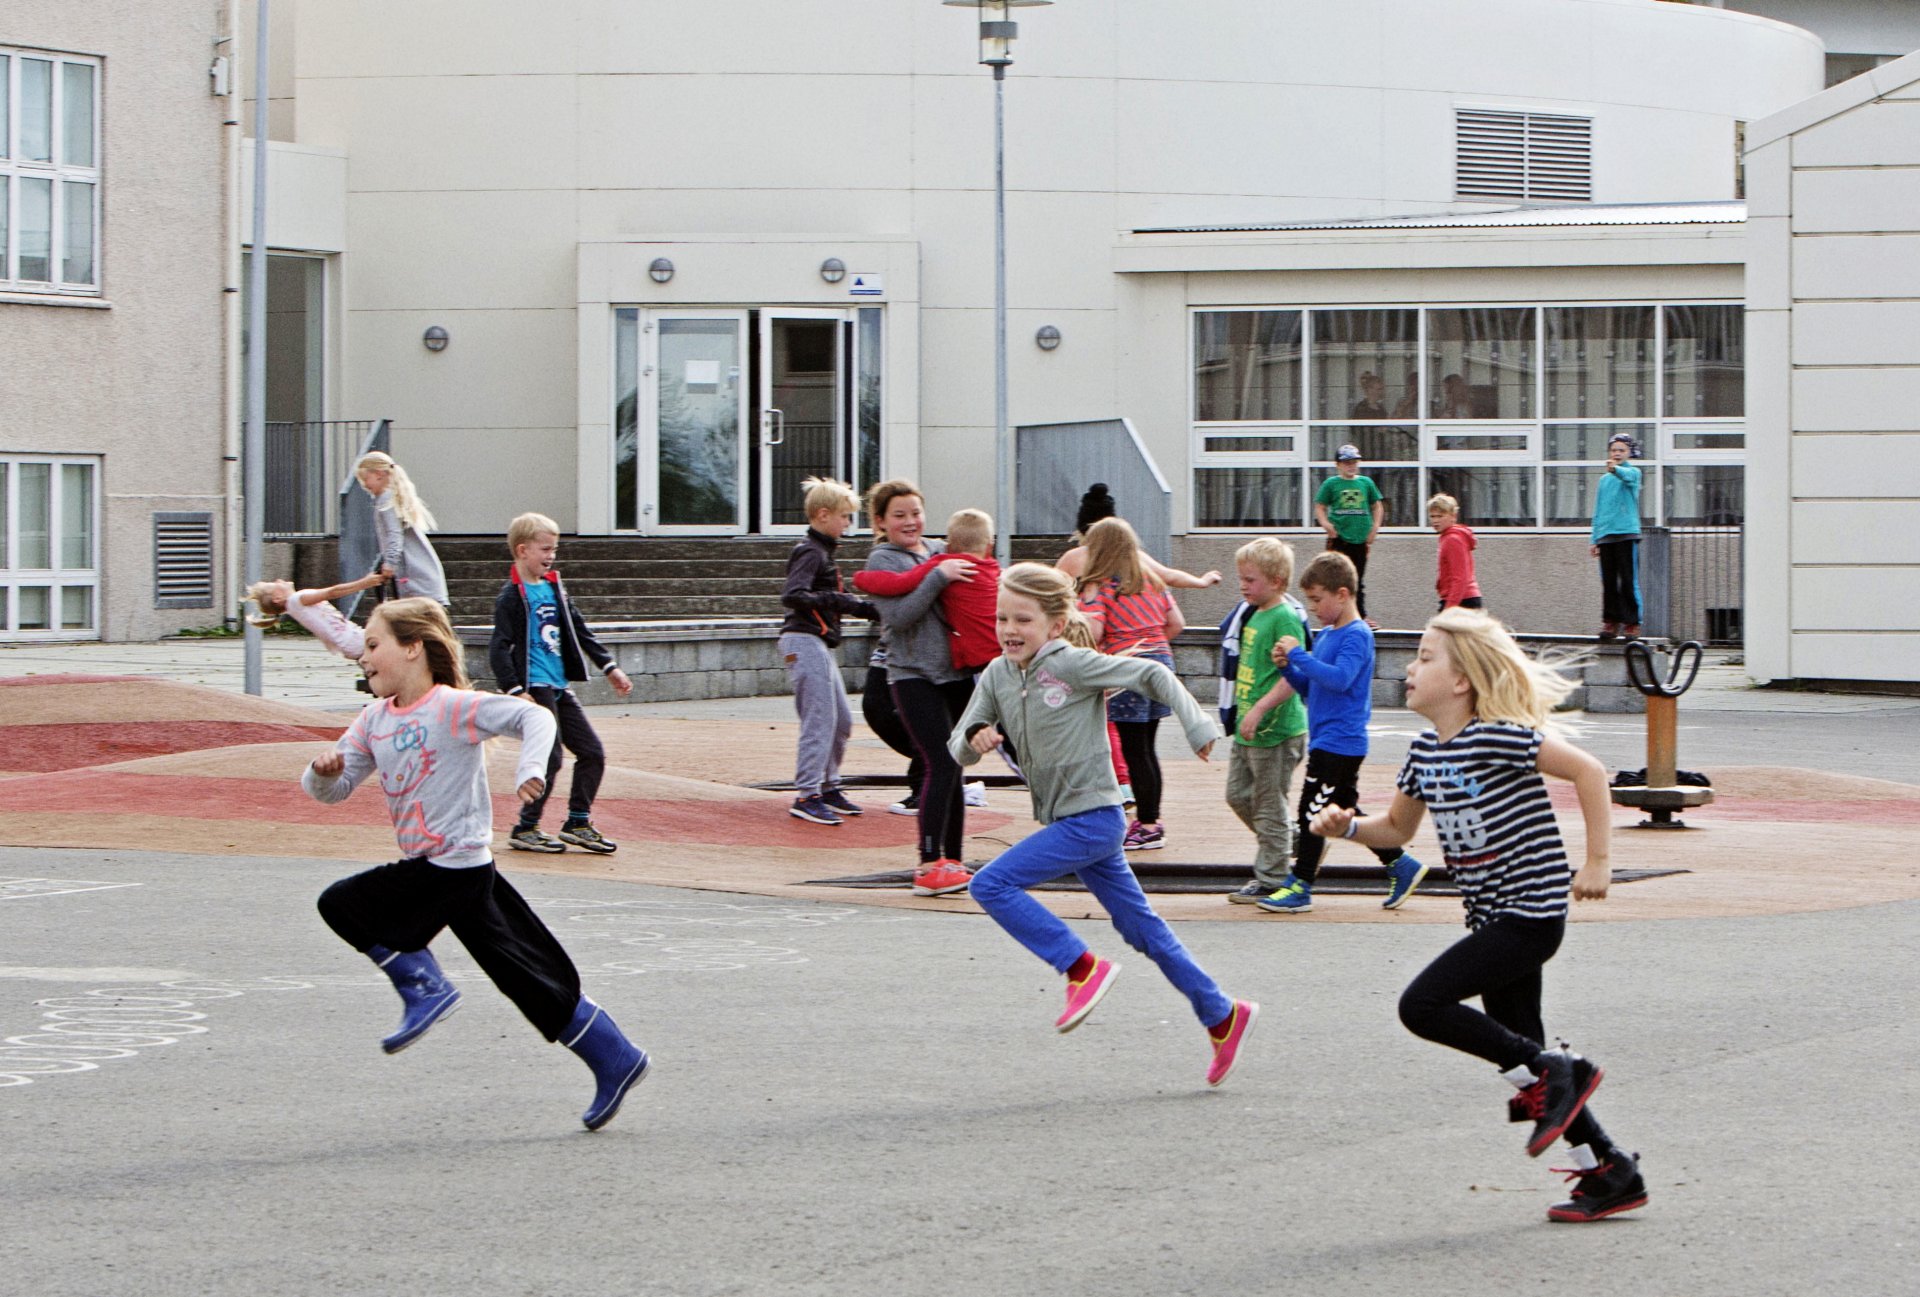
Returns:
(1337, 682)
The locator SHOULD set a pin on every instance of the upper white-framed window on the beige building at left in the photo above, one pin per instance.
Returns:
(49, 172)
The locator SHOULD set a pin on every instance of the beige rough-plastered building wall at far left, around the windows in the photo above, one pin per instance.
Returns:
(137, 375)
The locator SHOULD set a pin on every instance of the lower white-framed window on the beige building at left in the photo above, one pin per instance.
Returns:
(49, 546)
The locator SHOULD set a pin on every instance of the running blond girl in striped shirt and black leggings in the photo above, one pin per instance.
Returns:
(1479, 770)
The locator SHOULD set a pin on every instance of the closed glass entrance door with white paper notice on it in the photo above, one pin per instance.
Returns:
(700, 425)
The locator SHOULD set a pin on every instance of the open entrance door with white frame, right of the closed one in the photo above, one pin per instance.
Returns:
(804, 410)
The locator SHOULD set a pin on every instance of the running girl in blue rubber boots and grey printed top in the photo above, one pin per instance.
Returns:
(423, 740)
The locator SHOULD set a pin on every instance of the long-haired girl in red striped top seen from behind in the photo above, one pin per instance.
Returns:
(1134, 615)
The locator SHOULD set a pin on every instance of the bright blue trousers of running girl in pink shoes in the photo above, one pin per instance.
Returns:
(1088, 845)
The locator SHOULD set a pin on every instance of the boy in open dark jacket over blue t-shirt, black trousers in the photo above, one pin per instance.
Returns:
(540, 648)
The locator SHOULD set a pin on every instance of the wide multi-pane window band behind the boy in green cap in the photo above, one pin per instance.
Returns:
(1506, 408)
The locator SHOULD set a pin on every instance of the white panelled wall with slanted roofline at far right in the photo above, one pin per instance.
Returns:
(1835, 385)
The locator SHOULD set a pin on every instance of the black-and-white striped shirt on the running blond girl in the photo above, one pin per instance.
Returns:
(1495, 820)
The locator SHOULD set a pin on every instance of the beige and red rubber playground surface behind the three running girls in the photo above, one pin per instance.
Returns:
(153, 765)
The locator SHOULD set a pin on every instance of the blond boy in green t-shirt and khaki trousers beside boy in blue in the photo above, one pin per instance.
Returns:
(1272, 734)
